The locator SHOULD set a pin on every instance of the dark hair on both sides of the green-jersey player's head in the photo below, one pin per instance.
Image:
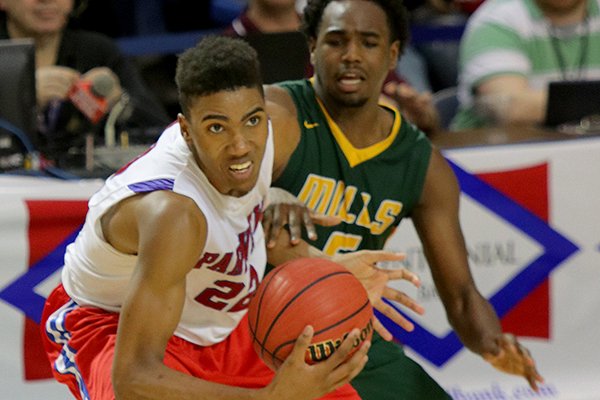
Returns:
(397, 18)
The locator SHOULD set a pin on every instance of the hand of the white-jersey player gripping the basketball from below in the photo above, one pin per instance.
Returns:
(297, 380)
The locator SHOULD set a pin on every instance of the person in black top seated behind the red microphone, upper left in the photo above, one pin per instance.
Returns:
(65, 56)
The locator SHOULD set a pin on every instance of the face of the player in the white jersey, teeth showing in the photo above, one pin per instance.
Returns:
(227, 132)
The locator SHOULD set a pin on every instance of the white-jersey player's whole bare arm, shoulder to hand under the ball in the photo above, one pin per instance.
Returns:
(168, 233)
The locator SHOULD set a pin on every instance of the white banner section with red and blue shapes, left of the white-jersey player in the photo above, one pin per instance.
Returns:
(37, 215)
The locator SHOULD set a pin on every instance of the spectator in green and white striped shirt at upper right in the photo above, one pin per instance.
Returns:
(512, 49)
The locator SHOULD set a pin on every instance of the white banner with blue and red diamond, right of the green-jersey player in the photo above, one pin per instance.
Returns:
(529, 218)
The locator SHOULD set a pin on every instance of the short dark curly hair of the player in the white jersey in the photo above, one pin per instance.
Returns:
(215, 64)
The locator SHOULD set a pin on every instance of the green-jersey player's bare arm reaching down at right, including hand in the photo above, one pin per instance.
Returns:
(470, 314)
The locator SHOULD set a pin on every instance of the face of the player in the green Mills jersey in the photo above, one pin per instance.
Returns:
(352, 54)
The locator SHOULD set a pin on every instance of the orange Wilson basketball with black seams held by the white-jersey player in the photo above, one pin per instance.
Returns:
(308, 291)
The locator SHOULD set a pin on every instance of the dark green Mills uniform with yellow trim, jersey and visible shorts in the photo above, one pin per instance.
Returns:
(371, 189)
